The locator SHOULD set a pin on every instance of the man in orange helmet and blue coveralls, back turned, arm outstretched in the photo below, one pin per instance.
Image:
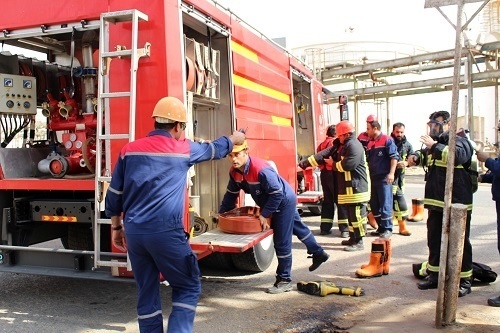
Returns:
(148, 186)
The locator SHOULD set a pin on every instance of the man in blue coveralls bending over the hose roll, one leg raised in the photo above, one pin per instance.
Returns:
(277, 200)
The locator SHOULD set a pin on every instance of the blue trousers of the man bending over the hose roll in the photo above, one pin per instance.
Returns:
(285, 223)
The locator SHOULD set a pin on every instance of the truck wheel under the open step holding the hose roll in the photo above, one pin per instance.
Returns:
(256, 259)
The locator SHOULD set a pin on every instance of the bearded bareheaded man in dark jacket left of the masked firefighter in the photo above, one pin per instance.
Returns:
(405, 149)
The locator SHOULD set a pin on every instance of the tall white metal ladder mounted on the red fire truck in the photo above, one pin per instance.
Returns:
(103, 135)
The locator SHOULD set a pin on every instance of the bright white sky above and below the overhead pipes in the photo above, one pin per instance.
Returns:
(305, 23)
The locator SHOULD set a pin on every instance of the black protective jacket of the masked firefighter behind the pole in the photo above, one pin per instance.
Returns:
(436, 159)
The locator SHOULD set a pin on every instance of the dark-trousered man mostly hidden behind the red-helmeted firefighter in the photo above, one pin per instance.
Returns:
(328, 183)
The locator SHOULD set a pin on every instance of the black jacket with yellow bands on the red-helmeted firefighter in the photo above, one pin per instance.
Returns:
(352, 173)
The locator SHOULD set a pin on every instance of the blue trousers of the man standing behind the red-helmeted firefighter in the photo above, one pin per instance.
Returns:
(381, 203)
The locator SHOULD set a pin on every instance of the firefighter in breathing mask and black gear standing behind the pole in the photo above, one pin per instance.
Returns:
(434, 156)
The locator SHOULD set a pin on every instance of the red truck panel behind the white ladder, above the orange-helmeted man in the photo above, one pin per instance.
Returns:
(158, 75)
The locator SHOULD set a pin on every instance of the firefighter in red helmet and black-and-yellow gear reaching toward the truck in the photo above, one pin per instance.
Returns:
(352, 177)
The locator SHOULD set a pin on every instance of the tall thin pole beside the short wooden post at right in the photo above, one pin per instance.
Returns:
(450, 167)
